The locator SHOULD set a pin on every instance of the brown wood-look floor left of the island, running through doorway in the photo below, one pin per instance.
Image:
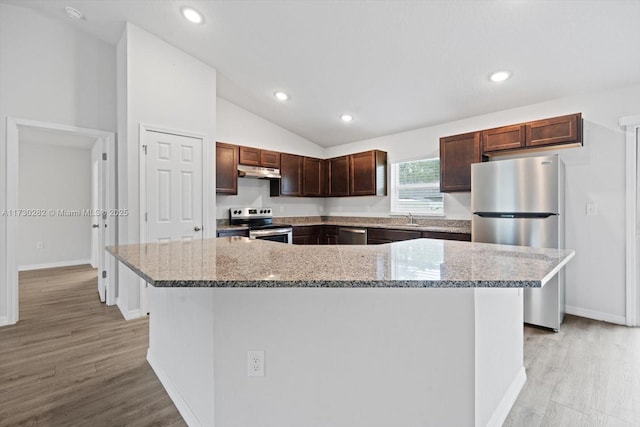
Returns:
(73, 361)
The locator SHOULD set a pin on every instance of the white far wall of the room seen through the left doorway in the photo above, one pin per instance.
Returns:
(53, 177)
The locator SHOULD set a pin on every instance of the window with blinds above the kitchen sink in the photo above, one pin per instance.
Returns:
(415, 187)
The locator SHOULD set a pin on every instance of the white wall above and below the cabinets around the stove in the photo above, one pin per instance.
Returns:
(238, 126)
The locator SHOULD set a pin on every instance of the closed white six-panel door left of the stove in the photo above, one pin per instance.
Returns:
(174, 199)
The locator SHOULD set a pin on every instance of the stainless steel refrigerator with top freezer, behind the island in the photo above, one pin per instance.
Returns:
(521, 202)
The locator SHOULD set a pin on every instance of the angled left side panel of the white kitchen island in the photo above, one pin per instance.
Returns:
(181, 349)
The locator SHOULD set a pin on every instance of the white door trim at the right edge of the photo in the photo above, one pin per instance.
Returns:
(631, 124)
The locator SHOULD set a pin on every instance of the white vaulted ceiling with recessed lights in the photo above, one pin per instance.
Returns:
(393, 65)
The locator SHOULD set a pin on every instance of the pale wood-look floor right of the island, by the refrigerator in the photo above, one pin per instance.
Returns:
(586, 375)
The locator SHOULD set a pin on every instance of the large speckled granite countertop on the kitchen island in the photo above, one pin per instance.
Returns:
(241, 262)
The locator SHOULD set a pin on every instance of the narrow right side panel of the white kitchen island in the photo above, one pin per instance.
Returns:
(500, 372)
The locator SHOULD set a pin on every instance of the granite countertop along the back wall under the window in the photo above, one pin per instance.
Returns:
(396, 223)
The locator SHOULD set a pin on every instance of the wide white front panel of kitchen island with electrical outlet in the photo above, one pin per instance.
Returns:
(345, 357)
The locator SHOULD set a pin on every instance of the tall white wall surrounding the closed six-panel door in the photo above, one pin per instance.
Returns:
(158, 86)
